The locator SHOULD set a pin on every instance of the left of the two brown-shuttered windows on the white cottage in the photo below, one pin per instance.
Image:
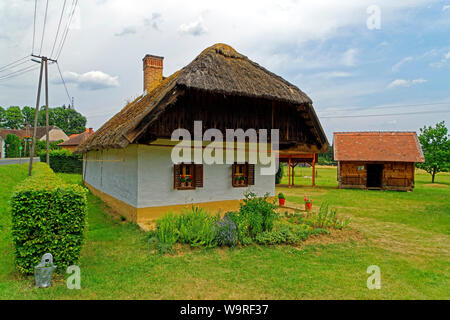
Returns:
(187, 176)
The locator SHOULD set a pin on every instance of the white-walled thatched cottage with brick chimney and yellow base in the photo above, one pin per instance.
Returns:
(128, 163)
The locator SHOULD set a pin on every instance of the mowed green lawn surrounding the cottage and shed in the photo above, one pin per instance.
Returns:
(405, 234)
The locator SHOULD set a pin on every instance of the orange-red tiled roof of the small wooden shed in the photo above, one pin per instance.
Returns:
(377, 146)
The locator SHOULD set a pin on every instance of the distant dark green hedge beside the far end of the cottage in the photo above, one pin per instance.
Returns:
(64, 161)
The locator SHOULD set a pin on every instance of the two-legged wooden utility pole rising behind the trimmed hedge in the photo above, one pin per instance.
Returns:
(43, 61)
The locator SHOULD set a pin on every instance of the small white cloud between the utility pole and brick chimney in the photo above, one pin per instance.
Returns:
(92, 80)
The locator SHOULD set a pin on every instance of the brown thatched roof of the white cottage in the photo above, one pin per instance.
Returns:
(218, 69)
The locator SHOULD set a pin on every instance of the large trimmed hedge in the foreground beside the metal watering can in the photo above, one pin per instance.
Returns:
(48, 215)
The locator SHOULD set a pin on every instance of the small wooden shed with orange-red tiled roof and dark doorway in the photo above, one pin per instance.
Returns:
(377, 160)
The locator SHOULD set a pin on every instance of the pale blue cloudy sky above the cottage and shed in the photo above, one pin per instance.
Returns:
(387, 62)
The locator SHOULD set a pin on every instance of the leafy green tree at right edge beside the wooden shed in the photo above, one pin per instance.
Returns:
(436, 149)
